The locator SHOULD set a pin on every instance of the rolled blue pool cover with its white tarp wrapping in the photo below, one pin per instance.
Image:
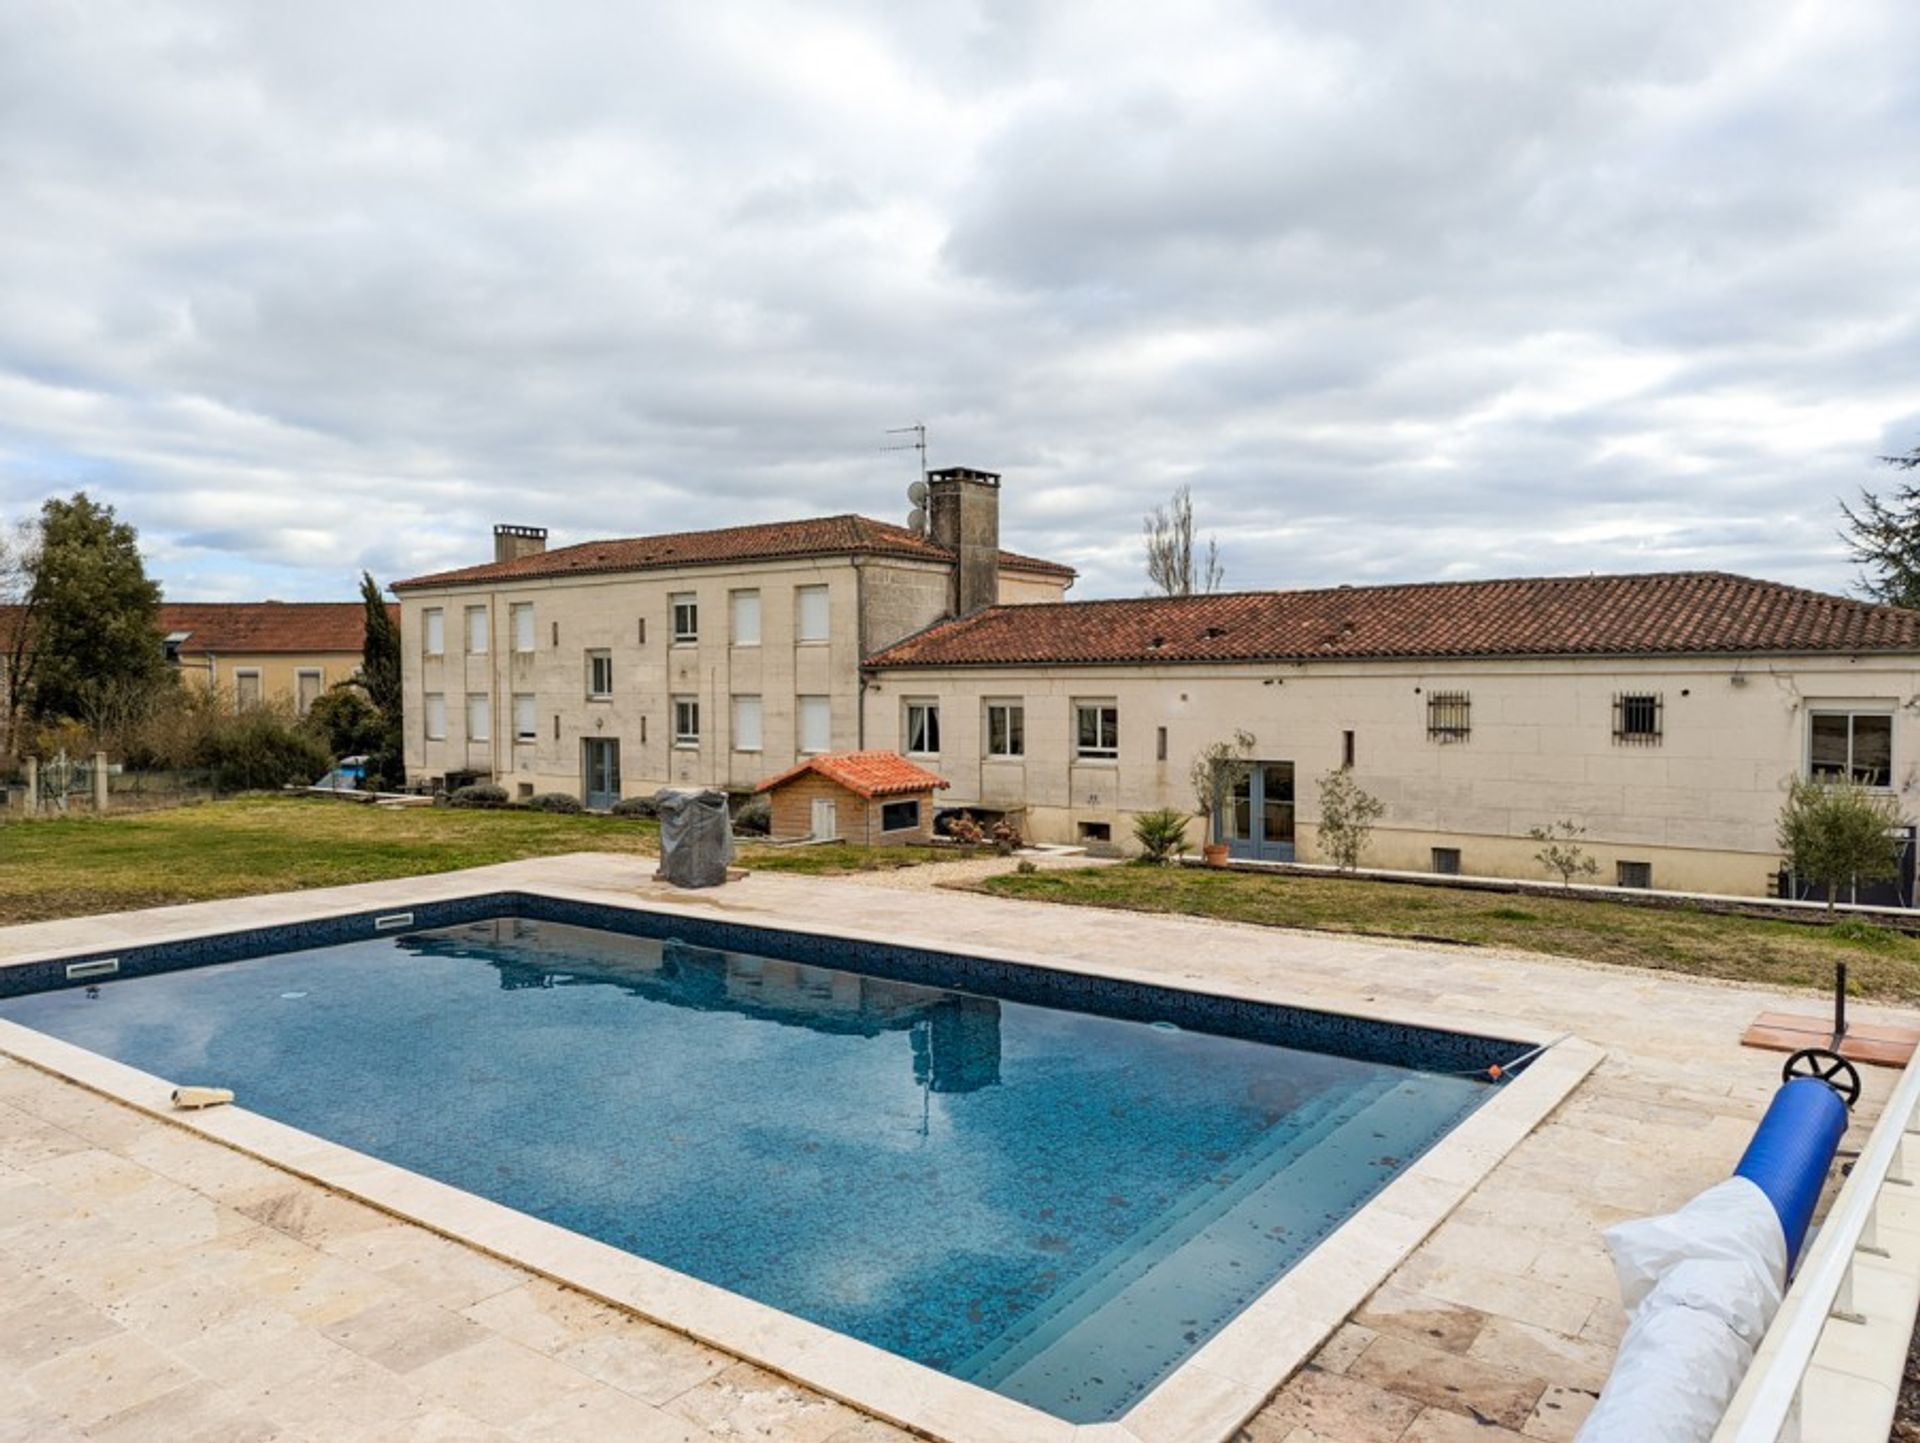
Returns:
(1704, 1285)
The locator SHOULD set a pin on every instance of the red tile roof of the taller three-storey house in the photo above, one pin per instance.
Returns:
(817, 536)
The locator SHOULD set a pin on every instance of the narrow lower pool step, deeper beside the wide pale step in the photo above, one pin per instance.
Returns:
(1170, 1229)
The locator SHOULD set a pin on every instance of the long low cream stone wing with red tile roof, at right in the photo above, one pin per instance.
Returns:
(1662, 713)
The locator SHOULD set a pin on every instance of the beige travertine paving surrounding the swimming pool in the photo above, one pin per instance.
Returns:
(160, 1287)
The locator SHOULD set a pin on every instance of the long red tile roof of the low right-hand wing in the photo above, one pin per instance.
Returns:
(1658, 615)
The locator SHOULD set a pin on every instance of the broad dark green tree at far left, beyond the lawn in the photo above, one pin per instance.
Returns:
(93, 611)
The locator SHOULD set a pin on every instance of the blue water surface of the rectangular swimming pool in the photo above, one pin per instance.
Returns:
(1051, 1204)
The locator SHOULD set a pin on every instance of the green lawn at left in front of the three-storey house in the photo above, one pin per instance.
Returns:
(270, 845)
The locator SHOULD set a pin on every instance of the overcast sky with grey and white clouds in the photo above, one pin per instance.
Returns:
(1401, 291)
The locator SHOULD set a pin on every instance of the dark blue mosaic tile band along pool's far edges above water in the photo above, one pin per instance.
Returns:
(1364, 1039)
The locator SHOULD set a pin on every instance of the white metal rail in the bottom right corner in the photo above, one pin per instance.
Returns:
(1767, 1409)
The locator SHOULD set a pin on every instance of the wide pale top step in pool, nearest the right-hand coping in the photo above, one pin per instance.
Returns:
(1138, 1317)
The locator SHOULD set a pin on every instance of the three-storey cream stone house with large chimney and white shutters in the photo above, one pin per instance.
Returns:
(613, 669)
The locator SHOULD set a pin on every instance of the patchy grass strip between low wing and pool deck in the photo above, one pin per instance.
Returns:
(1883, 964)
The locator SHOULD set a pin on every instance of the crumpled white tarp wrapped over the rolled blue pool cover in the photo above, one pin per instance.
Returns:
(1700, 1290)
